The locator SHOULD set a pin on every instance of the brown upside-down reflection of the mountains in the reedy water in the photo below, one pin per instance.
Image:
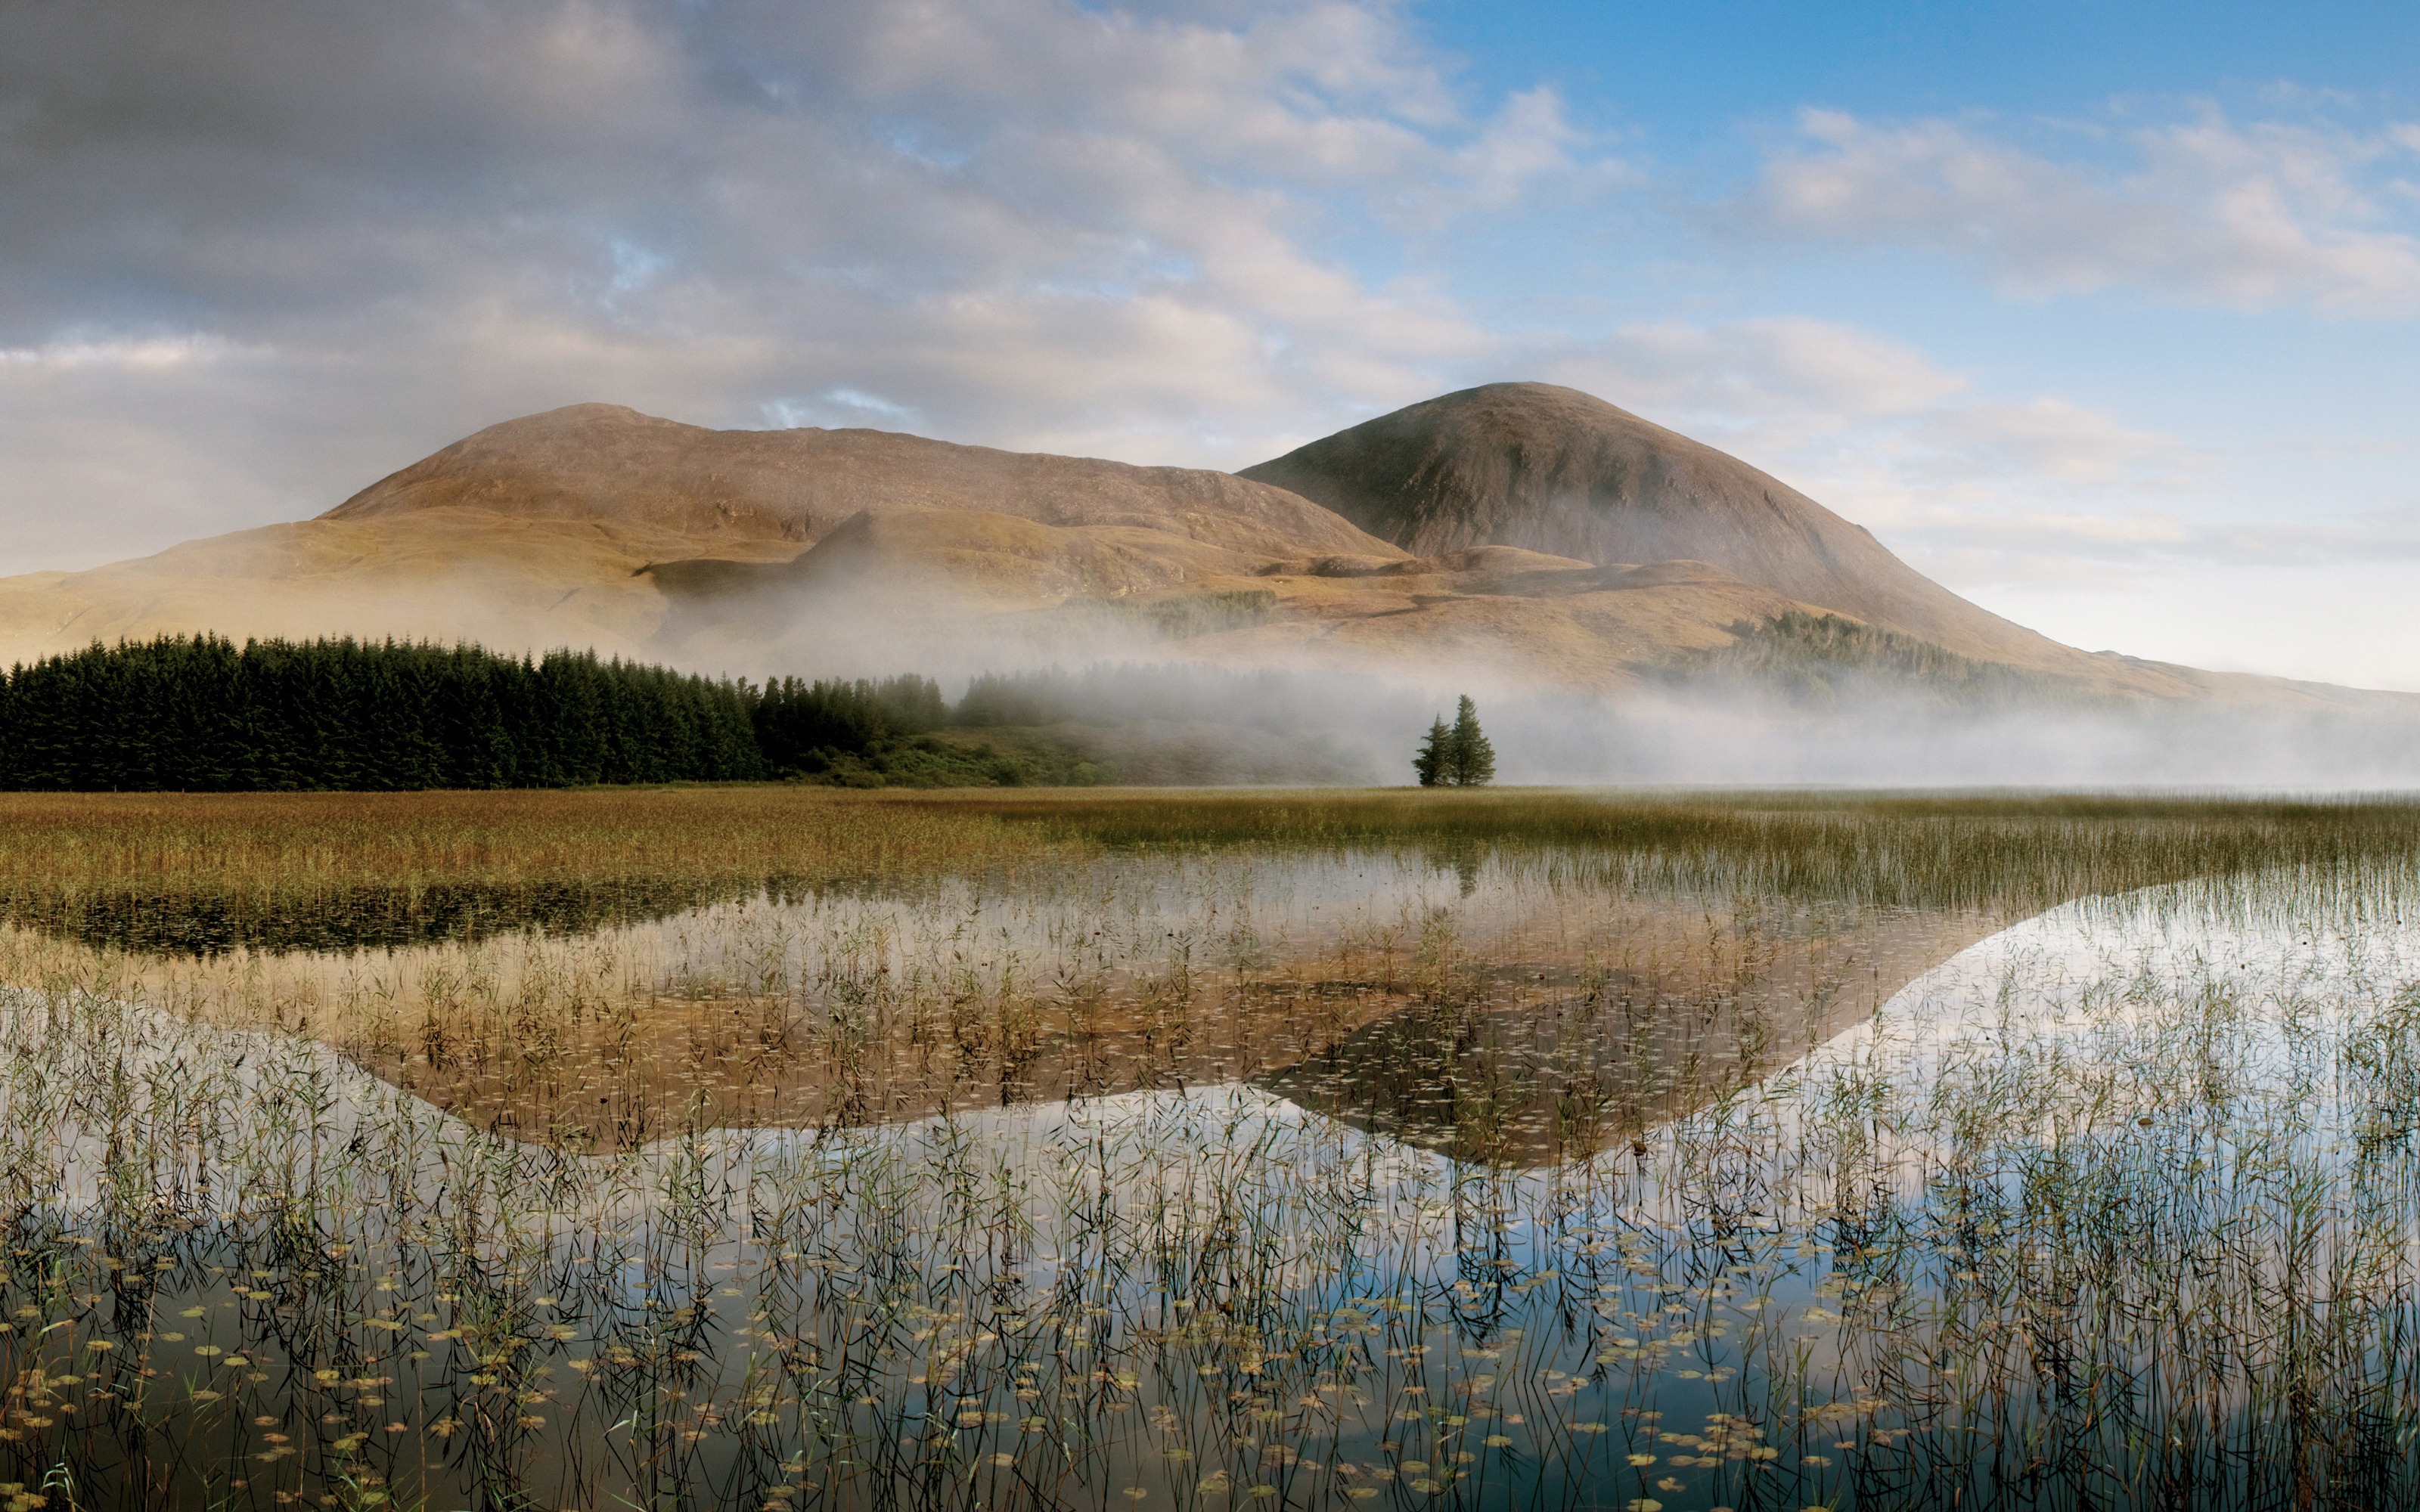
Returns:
(1509, 1008)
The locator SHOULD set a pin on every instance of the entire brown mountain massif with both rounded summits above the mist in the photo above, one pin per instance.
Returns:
(1528, 536)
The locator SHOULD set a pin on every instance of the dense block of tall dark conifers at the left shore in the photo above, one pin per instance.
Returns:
(202, 715)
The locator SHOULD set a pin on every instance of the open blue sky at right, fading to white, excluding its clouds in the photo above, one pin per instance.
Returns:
(2278, 533)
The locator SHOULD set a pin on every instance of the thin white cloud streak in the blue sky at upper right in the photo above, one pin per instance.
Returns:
(2194, 212)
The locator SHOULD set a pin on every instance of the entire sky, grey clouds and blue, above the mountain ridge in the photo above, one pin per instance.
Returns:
(2104, 316)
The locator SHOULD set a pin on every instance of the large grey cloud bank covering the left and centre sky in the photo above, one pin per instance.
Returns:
(1020, 221)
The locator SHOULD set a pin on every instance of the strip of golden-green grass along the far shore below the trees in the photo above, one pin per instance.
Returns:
(1867, 848)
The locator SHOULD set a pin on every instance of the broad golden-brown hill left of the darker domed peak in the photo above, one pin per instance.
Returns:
(594, 526)
